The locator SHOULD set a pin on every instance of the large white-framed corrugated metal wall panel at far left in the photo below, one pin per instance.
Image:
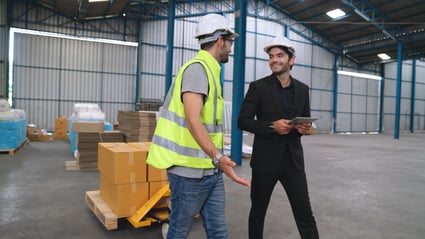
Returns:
(51, 74)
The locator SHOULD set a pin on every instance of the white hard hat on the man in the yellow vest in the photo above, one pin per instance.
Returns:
(211, 26)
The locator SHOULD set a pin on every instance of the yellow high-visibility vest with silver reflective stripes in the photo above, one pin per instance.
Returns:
(172, 143)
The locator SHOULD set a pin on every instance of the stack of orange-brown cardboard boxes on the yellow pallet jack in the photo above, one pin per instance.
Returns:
(126, 181)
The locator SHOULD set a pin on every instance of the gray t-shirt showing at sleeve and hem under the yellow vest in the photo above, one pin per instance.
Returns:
(195, 80)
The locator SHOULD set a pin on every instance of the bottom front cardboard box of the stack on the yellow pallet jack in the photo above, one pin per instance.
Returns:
(123, 199)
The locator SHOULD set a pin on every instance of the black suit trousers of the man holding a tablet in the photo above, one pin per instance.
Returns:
(294, 182)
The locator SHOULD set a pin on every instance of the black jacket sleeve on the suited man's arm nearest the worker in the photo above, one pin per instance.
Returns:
(247, 119)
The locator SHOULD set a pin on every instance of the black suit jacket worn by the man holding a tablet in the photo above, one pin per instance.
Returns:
(263, 105)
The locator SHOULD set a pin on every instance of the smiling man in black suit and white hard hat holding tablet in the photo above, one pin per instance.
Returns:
(277, 152)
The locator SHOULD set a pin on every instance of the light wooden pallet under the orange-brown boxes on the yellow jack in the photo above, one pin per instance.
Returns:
(102, 211)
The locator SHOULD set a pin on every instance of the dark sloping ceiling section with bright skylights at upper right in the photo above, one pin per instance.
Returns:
(369, 27)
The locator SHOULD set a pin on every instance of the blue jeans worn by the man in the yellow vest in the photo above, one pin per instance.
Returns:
(192, 196)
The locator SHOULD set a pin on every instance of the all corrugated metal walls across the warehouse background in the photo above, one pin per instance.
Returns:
(51, 74)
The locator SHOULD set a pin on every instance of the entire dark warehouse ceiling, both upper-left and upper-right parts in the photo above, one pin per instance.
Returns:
(369, 27)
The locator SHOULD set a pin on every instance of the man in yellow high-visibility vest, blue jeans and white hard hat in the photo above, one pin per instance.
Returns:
(188, 139)
